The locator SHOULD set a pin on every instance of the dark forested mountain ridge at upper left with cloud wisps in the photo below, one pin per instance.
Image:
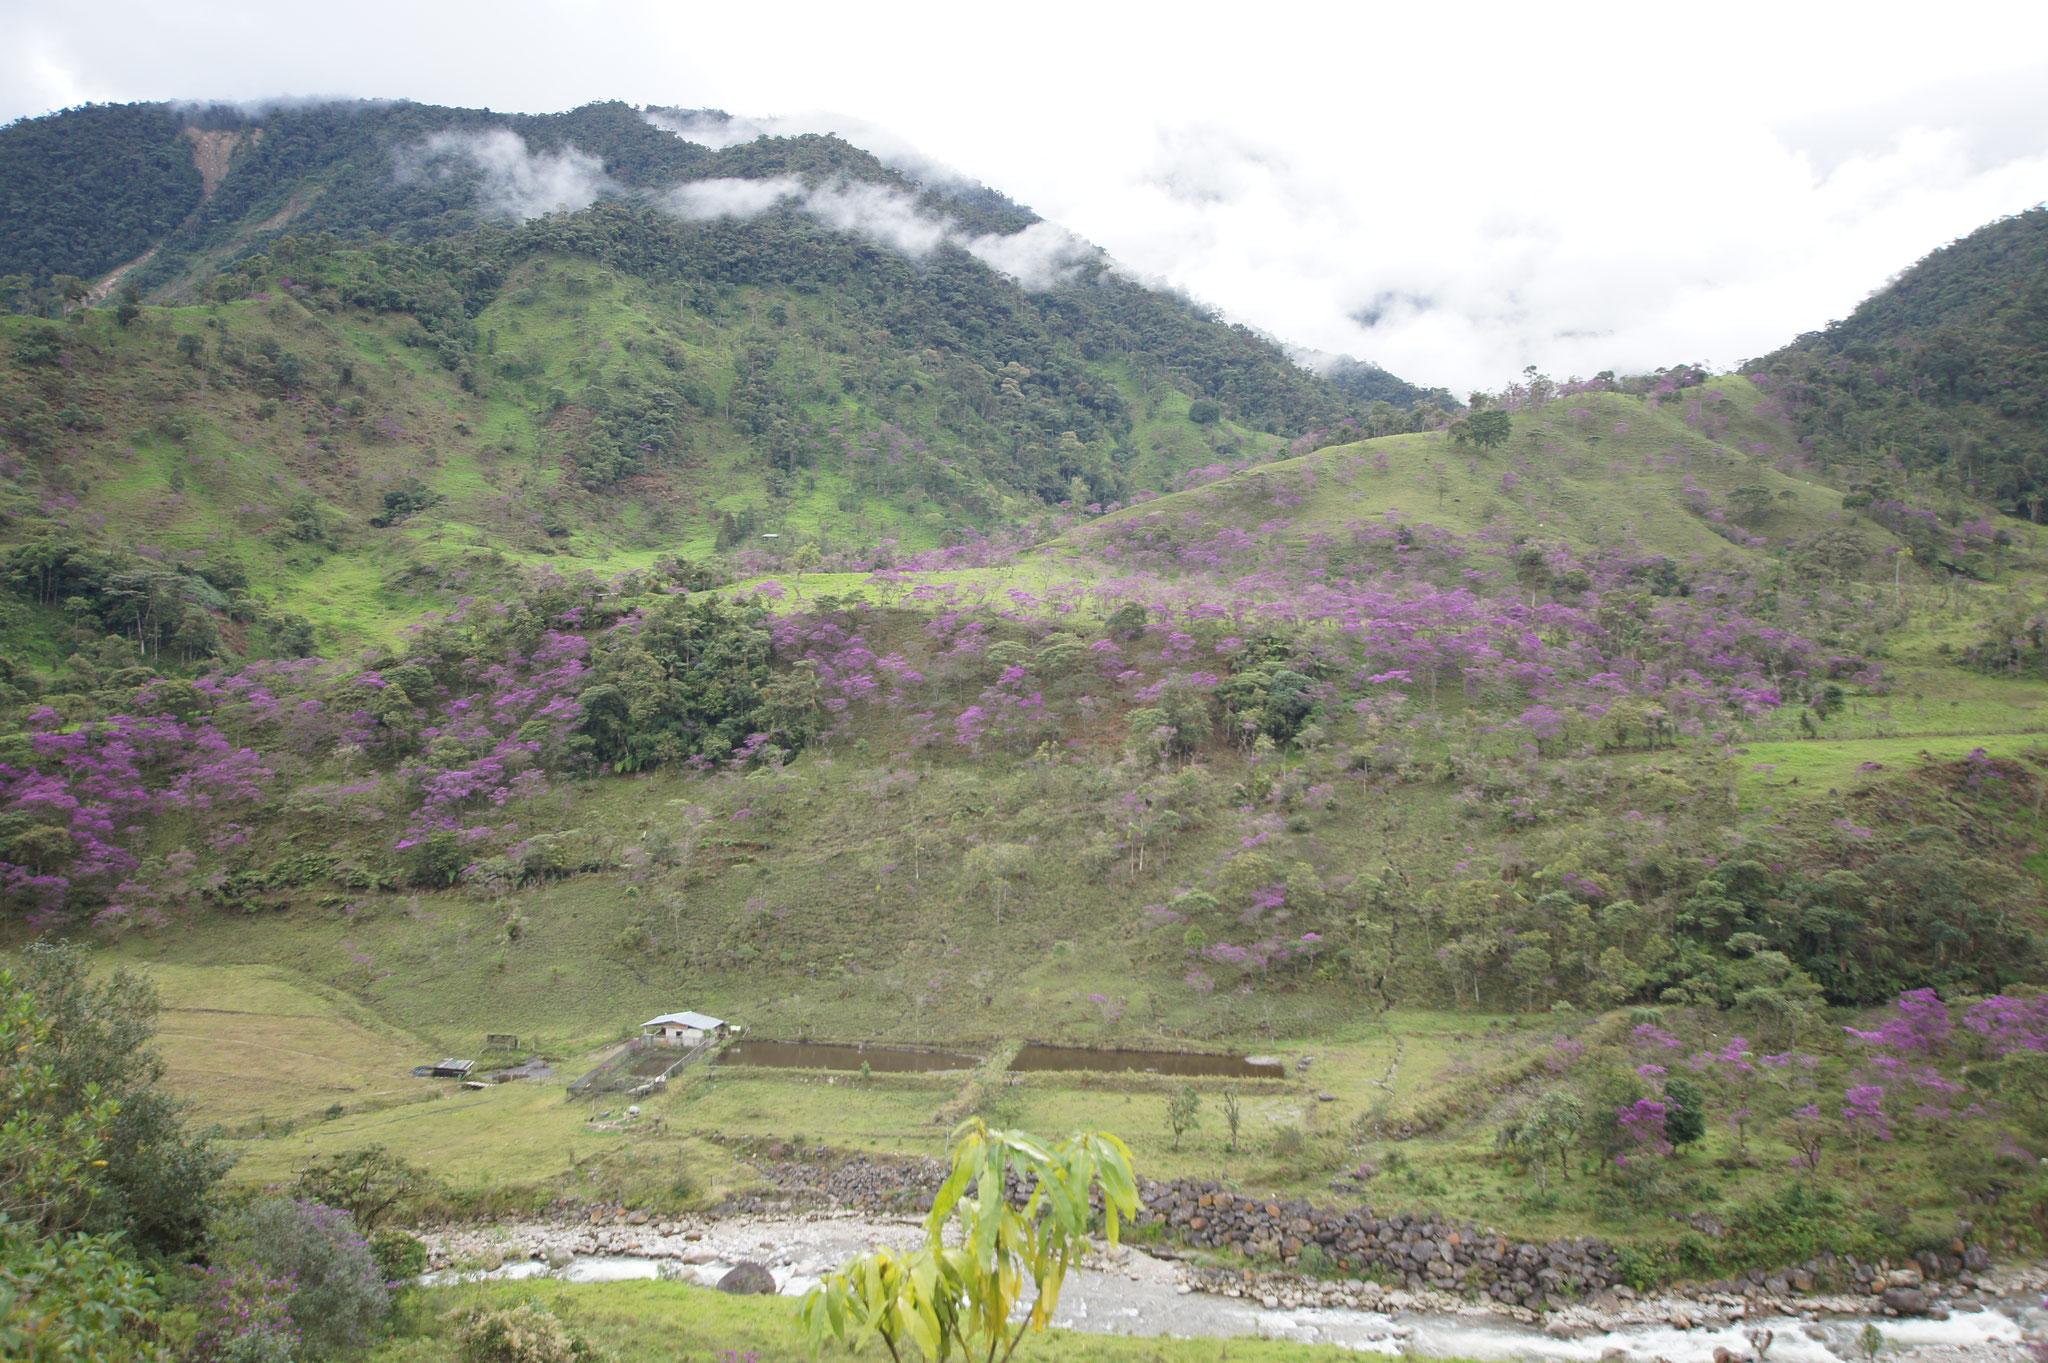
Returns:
(419, 173)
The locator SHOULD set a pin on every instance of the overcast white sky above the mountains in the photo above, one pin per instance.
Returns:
(1453, 191)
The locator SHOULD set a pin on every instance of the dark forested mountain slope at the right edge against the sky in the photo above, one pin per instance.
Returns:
(1940, 373)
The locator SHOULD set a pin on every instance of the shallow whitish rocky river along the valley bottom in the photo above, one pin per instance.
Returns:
(1136, 1292)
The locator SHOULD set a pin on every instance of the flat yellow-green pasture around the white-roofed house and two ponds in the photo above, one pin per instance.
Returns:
(298, 1071)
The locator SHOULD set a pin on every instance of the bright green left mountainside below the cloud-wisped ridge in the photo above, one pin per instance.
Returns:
(325, 459)
